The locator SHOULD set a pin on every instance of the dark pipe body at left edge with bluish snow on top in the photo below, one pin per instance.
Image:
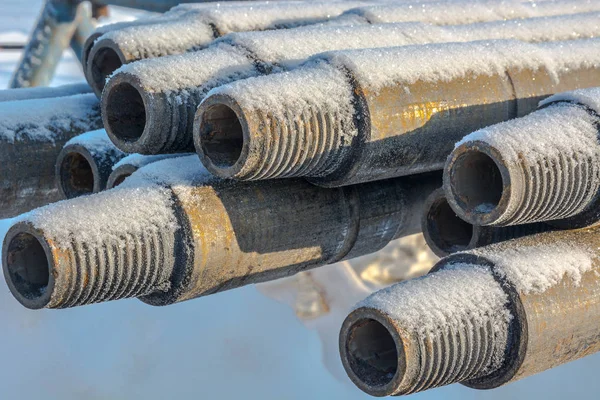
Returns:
(32, 133)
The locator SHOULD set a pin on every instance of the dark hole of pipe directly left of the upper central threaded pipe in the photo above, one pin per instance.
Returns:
(125, 112)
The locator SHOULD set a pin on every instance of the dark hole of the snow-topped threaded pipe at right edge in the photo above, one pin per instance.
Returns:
(477, 182)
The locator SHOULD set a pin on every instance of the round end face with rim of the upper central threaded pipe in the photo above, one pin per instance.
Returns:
(221, 136)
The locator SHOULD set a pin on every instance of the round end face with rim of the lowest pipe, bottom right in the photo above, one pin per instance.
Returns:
(372, 352)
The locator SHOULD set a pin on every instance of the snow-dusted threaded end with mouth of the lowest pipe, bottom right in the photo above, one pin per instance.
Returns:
(384, 353)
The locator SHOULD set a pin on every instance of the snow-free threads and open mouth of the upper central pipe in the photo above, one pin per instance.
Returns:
(245, 144)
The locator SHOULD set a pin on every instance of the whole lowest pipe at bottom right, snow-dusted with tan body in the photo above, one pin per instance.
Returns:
(483, 318)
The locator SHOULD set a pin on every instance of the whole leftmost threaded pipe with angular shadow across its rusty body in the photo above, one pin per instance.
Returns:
(197, 235)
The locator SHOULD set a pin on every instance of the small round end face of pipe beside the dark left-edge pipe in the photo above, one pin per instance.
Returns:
(76, 172)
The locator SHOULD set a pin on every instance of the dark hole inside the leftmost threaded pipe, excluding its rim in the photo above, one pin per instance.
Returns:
(28, 266)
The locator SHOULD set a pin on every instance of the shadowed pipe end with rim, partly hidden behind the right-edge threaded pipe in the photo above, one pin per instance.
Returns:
(444, 231)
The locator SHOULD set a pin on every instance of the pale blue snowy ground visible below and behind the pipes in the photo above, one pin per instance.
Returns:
(237, 344)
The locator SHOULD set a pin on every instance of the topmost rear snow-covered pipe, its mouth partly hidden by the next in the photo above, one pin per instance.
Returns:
(196, 29)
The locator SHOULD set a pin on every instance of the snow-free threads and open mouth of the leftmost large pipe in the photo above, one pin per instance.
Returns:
(42, 275)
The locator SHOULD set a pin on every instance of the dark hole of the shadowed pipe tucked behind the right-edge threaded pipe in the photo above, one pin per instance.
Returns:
(448, 231)
